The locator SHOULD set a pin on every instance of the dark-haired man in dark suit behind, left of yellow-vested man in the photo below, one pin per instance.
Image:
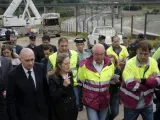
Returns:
(39, 50)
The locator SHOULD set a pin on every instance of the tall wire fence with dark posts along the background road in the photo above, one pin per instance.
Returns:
(83, 19)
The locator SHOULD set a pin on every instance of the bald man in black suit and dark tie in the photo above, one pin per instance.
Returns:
(27, 93)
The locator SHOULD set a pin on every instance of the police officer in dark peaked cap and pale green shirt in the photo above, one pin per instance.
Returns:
(82, 54)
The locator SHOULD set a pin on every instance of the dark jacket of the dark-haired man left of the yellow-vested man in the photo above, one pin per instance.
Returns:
(40, 54)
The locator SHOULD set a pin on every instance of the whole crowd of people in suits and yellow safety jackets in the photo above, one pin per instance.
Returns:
(48, 83)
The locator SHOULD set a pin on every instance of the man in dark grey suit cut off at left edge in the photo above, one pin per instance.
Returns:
(5, 67)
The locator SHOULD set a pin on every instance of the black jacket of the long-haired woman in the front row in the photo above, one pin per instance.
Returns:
(63, 99)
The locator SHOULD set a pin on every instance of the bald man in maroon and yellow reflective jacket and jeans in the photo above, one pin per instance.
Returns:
(95, 73)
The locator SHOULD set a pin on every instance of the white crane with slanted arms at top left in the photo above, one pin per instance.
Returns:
(9, 20)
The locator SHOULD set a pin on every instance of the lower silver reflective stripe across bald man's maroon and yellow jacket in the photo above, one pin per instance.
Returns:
(95, 89)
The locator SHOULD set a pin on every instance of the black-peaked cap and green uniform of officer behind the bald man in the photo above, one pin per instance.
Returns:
(81, 56)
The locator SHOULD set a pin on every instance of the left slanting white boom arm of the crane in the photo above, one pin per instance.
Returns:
(12, 8)
